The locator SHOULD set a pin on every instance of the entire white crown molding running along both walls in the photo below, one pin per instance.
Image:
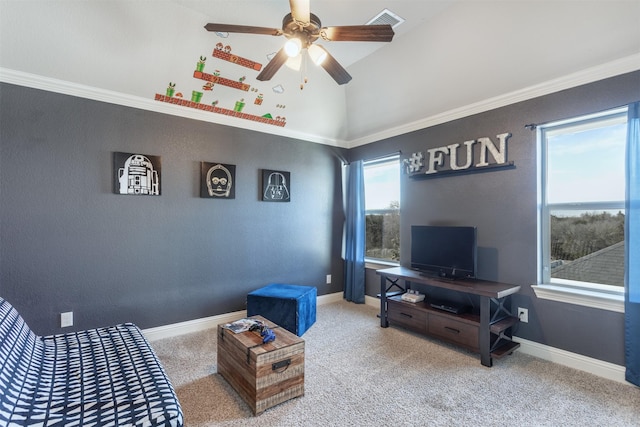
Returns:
(603, 71)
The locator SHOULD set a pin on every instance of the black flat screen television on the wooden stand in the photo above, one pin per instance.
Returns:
(444, 251)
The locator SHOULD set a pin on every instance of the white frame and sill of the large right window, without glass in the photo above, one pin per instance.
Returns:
(601, 296)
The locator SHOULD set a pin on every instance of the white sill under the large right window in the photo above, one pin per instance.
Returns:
(587, 298)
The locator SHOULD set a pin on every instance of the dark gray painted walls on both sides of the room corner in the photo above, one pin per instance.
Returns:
(68, 243)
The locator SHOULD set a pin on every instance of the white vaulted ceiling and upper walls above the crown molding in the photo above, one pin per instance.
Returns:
(447, 58)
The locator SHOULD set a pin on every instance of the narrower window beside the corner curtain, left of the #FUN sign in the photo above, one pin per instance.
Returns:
(382, 208)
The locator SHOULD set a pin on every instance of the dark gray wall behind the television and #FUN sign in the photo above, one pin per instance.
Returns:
(502, 204)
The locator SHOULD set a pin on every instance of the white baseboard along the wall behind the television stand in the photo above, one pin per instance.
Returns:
(562, 357)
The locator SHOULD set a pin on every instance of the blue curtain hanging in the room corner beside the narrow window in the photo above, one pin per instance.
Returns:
(354, 234)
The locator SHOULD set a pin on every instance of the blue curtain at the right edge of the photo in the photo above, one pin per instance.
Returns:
(632, 247)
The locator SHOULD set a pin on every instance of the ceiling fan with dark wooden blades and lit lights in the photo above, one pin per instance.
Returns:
(302, 28)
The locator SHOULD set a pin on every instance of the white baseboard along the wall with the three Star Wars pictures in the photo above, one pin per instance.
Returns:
(176, 329)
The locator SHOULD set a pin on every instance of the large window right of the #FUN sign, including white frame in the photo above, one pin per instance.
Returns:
(582, 209)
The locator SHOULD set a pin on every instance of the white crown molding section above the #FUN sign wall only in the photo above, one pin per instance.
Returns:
(589, 75)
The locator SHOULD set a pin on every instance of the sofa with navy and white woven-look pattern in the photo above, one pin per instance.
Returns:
(99, 377)
